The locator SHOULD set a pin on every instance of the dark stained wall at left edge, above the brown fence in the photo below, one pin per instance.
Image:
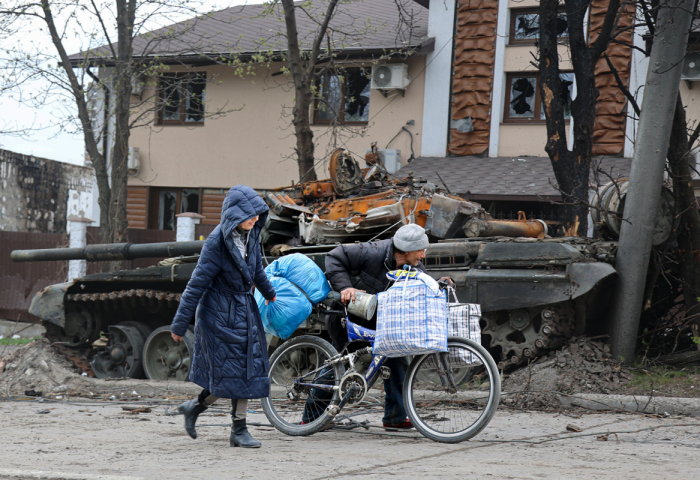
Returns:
(37, 194)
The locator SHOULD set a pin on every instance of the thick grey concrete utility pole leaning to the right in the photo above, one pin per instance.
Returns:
(646, 177)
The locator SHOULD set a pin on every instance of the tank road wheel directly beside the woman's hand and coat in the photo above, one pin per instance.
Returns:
(165, 359)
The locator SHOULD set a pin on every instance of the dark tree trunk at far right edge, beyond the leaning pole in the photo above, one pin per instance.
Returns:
(689, 229)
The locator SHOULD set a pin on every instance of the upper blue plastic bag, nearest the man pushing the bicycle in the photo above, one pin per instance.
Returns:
(302, 272)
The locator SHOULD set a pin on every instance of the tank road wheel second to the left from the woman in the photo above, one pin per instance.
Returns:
(124, 353)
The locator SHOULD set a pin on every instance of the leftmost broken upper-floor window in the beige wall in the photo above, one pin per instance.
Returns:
(181, 98)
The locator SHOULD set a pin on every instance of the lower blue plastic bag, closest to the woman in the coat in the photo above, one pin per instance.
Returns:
(285, 314)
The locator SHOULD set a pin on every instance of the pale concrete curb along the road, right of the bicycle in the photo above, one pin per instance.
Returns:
(630, 403)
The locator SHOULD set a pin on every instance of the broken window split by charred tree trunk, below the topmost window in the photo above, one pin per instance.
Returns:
(523, 100)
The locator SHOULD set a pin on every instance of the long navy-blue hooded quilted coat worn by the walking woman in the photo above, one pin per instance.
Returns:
(230, 352)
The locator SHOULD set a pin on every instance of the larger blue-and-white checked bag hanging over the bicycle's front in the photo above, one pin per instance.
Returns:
(411, 317)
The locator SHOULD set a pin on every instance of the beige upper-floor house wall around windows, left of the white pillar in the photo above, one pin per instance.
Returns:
(252, 146)
